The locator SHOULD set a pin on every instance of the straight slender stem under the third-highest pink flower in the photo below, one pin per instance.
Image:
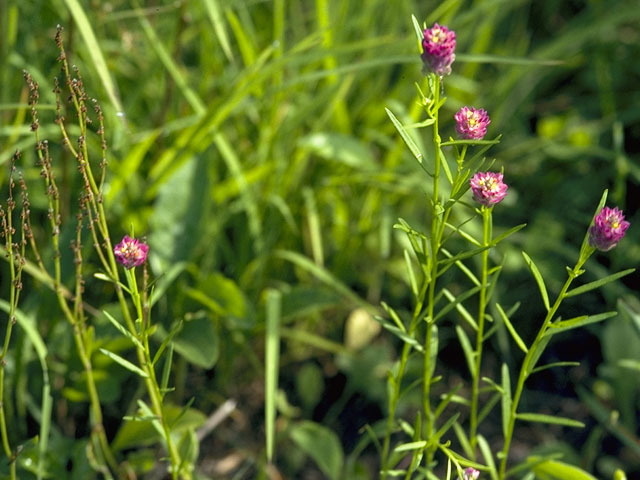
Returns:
(484, 258)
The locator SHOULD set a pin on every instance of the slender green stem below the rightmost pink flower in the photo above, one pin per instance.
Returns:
(526, 363)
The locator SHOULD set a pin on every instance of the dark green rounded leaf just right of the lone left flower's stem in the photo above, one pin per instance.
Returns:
(198, 341)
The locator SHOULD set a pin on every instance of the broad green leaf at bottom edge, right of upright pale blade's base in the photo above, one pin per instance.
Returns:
(322, 445)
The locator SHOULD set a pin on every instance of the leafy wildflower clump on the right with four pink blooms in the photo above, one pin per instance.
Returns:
(414, 447)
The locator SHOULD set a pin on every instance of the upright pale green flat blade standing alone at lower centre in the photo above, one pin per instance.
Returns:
(272, 357)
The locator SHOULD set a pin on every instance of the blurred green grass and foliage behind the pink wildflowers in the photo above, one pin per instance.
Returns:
(248, 141)
